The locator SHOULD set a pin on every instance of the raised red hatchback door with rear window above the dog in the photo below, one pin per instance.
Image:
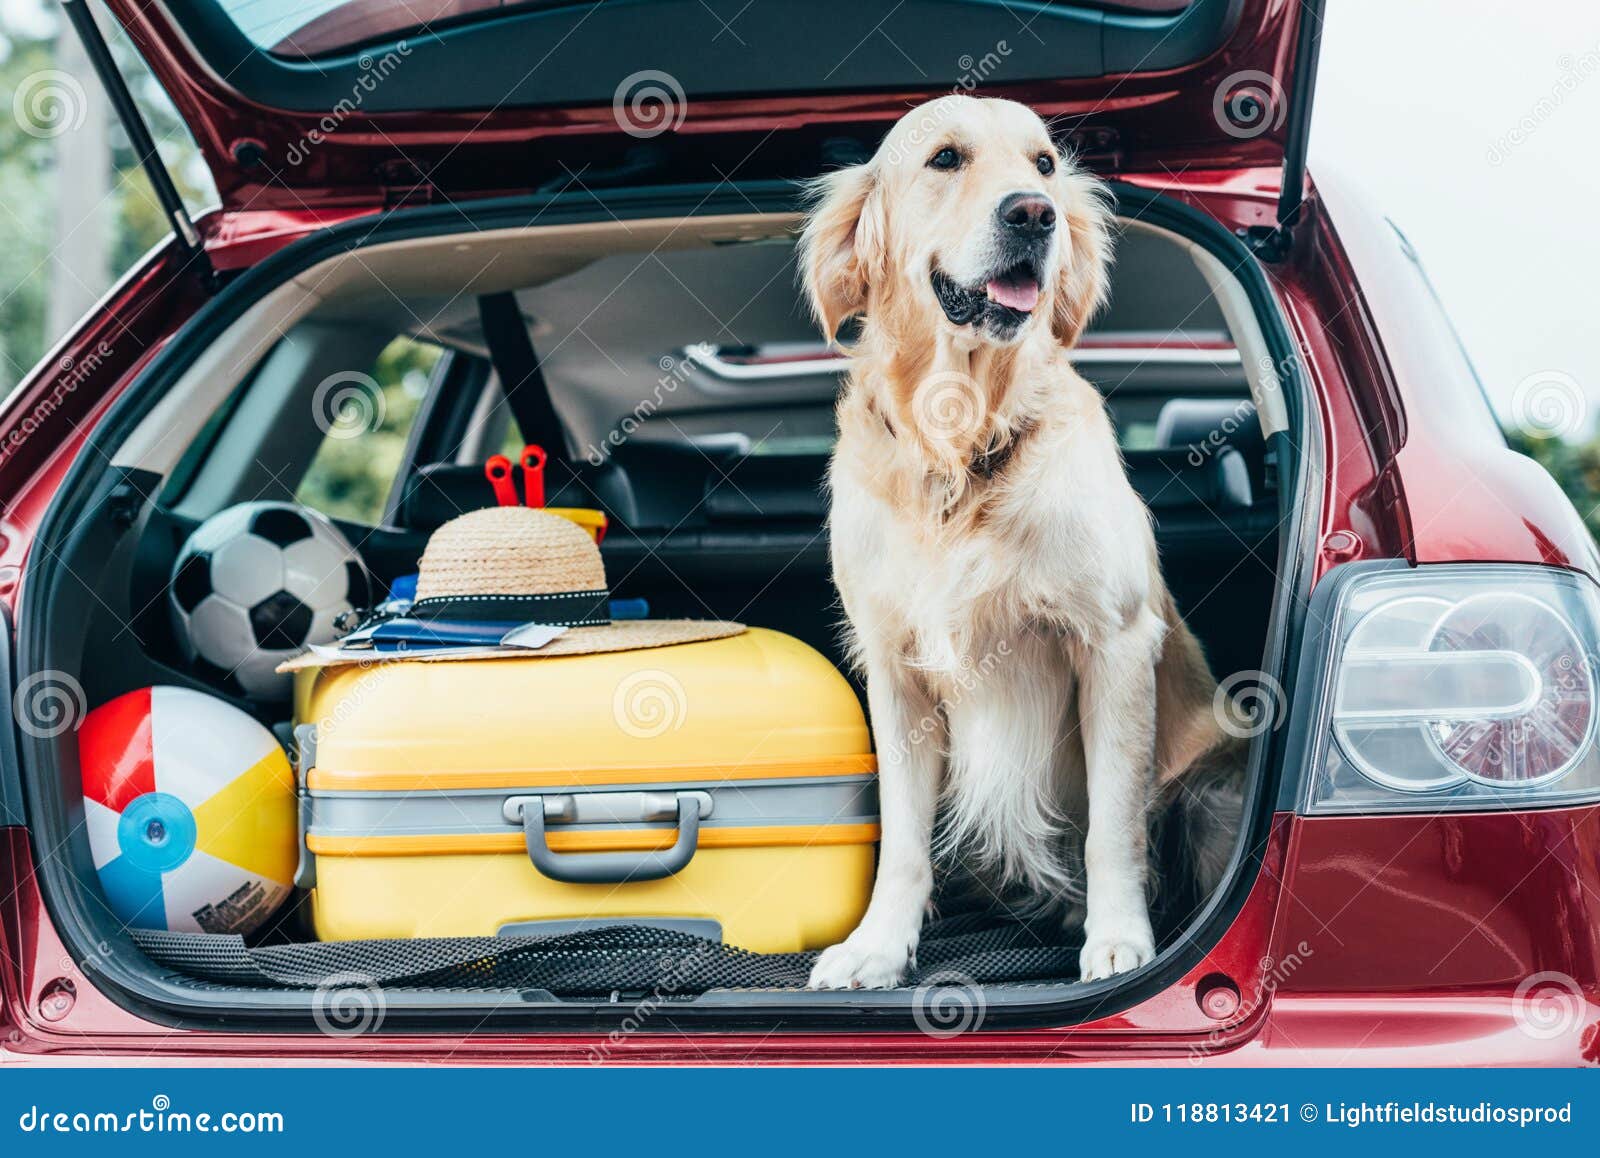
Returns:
(313, 103)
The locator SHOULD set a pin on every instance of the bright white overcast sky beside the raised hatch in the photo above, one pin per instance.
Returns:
(1474, 124)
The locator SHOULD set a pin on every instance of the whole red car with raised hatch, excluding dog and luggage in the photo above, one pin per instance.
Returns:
(1406, 607)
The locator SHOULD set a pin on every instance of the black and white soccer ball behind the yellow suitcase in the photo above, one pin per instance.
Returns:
(254, 586)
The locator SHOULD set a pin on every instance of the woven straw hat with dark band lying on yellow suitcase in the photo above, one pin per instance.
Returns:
(524, 565)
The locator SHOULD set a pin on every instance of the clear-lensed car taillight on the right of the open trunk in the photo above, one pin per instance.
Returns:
(1457, 687)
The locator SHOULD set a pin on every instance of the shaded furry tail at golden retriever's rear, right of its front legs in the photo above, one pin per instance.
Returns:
(1199, 817)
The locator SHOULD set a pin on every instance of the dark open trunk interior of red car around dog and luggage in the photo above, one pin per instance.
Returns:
(698, 413)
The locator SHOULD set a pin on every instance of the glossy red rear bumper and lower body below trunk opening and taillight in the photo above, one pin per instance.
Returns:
(1295, 1010)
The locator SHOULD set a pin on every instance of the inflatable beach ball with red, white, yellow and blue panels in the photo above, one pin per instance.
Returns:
(191, 812)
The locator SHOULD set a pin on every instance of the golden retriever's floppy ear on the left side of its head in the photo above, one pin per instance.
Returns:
(842, 244)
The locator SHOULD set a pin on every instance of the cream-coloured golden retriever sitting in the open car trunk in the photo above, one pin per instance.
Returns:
(1028, 676)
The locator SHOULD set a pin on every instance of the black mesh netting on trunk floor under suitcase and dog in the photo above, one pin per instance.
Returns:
(978, 949)
